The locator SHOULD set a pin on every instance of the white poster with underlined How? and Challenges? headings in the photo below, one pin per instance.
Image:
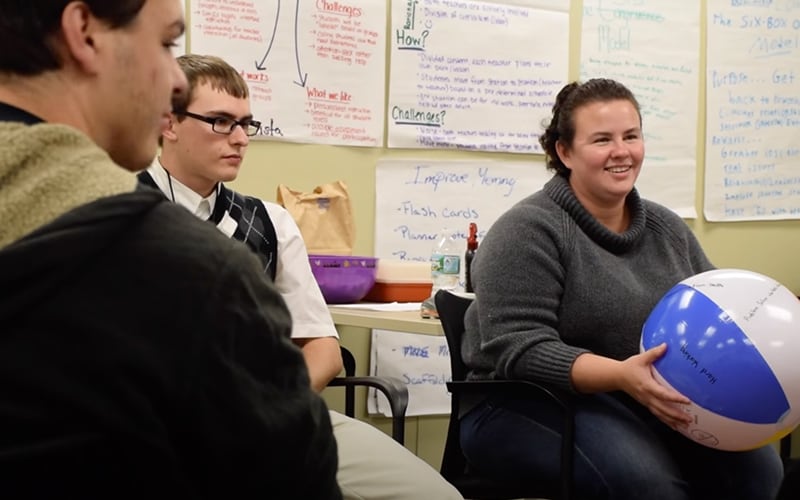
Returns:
(474, 75)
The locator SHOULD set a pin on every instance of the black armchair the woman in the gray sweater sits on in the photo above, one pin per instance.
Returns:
(455, 469)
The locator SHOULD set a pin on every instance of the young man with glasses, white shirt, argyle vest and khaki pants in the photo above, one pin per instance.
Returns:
(202, 148)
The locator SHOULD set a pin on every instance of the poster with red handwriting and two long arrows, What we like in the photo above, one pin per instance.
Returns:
(307, 64)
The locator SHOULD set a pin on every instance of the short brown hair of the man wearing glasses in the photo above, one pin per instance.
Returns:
(212, 71)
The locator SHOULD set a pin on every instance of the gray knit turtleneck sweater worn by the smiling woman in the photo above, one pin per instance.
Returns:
(551, 283)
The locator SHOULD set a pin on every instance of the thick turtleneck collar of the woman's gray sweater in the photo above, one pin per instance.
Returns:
(559, 190)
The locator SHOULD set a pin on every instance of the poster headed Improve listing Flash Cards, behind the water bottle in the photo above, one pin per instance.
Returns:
(415, 200)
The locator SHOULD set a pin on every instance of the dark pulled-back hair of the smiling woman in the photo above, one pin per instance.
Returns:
(562, 126)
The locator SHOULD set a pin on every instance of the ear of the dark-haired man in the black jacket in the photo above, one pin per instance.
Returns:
(80, 28)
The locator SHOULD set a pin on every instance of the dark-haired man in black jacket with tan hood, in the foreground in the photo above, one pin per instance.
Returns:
(134, 363)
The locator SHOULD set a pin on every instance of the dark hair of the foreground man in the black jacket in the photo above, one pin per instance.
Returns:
(27, 29)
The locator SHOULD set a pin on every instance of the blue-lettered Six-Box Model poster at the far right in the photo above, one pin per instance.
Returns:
(753, 110)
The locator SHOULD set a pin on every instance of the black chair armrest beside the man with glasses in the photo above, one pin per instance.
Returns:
(393, 388)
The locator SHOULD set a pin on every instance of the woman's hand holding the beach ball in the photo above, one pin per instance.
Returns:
(638, 382)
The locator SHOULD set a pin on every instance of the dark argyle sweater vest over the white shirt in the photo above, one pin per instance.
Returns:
(253, 225)
